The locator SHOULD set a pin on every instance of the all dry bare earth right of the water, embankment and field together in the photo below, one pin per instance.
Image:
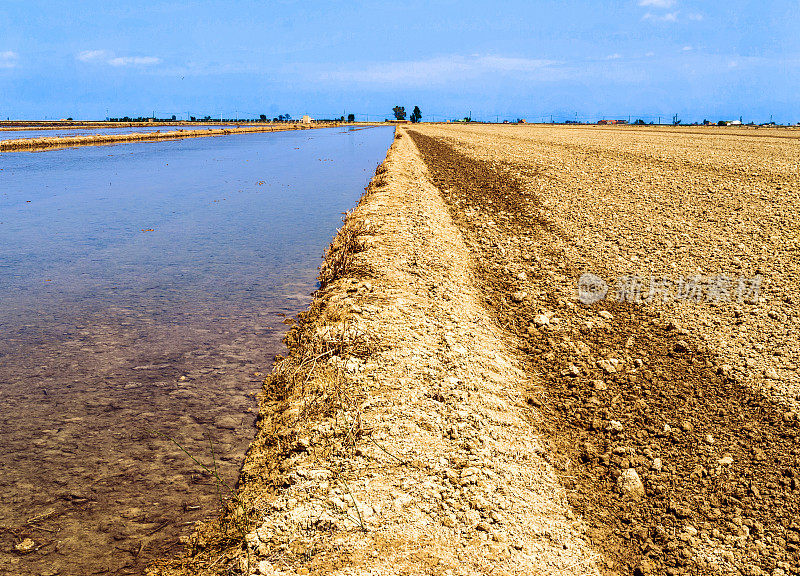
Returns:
(451, 406)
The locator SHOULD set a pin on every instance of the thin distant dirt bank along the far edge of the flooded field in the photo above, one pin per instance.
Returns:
(37, 144)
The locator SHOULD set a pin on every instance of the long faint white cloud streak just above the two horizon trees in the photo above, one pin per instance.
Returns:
(439, 70)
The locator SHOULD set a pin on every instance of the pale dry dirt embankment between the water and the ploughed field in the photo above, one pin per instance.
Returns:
(393, 439)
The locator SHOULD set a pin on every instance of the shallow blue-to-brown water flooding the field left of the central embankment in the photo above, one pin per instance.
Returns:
(143, 289)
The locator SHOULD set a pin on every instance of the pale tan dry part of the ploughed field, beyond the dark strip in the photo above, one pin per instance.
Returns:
(670, 202)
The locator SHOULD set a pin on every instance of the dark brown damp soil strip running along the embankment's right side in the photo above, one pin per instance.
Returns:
(718, 460)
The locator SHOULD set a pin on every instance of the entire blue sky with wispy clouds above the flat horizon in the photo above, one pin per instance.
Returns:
(529, 59)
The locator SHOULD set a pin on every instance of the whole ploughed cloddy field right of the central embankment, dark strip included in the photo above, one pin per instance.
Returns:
(671, 423)
